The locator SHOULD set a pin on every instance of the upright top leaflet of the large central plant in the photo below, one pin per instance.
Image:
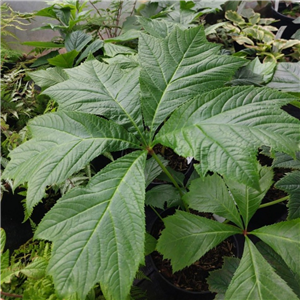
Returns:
(177, 68)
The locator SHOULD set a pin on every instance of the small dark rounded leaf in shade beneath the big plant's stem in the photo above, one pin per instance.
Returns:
(162, 196)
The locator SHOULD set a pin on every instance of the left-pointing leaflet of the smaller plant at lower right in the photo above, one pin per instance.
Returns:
(183, 230)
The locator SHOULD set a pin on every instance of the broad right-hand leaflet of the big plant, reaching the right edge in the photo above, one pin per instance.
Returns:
(230, 125)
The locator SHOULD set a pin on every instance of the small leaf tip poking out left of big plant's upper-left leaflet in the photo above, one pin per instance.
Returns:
(48, 77)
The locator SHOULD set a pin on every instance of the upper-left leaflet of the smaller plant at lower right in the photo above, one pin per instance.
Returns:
(210, 194)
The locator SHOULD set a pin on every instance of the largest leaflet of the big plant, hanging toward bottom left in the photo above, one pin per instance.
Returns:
(98, 231)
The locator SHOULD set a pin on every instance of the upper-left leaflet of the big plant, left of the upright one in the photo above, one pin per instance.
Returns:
(101, 89)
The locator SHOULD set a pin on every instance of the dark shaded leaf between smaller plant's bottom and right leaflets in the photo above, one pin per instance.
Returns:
(280, 267)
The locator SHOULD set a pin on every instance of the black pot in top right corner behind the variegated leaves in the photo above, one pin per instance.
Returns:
(283, 20)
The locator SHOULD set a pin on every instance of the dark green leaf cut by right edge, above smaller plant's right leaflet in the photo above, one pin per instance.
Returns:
(291, 184)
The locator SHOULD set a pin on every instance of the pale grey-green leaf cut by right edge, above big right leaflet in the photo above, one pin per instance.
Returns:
(286, 77)
